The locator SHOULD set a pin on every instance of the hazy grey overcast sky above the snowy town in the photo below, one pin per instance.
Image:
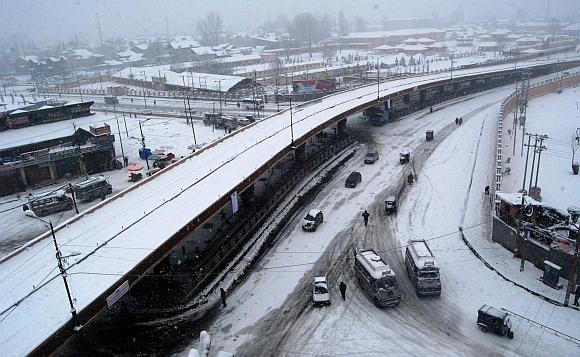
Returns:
(52, 21)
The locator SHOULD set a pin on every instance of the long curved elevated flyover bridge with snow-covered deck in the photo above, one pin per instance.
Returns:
(121, 238)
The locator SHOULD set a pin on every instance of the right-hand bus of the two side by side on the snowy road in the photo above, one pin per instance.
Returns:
(422, 268)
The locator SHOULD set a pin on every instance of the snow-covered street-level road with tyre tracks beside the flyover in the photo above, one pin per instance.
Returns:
(271, 310)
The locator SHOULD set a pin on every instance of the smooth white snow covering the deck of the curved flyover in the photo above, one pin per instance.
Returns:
(114, 236)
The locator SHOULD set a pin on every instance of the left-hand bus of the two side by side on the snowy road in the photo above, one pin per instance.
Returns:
(377, 279)
